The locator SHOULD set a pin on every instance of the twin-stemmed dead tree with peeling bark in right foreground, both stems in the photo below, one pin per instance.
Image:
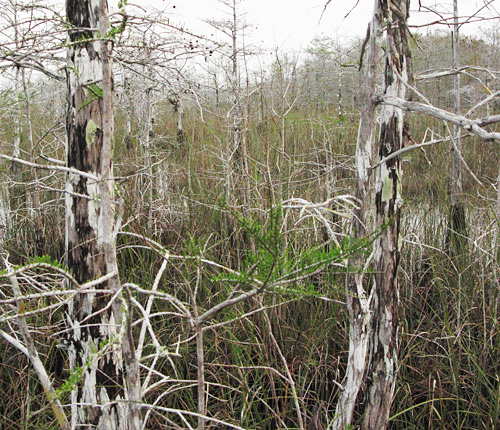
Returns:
(373, 308)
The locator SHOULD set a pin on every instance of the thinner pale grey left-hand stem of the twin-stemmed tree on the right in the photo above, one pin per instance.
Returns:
(357, 295)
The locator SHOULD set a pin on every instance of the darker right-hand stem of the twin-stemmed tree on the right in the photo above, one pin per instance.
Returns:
(383, 332)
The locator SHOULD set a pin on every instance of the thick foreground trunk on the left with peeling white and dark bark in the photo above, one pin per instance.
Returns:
(99, 348)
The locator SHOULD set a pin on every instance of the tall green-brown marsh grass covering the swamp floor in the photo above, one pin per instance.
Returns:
(449, 352)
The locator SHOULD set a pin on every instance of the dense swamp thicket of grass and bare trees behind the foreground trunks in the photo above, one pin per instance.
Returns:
(298, 121)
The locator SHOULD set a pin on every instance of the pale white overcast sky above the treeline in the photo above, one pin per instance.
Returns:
(292, 24)
